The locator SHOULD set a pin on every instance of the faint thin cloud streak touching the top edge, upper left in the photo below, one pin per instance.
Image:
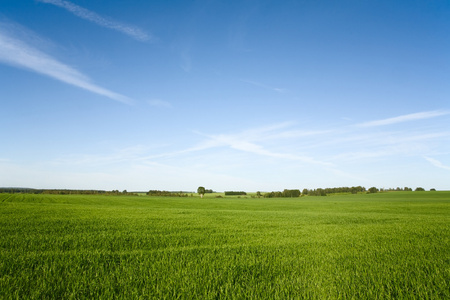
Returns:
(91, 16)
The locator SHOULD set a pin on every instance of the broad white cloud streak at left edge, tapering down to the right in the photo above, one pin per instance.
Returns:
(17, 52)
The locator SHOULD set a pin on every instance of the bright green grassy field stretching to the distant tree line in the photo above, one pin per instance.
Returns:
(389, 245)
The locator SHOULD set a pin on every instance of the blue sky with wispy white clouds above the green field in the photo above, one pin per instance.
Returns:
(230, 95)
